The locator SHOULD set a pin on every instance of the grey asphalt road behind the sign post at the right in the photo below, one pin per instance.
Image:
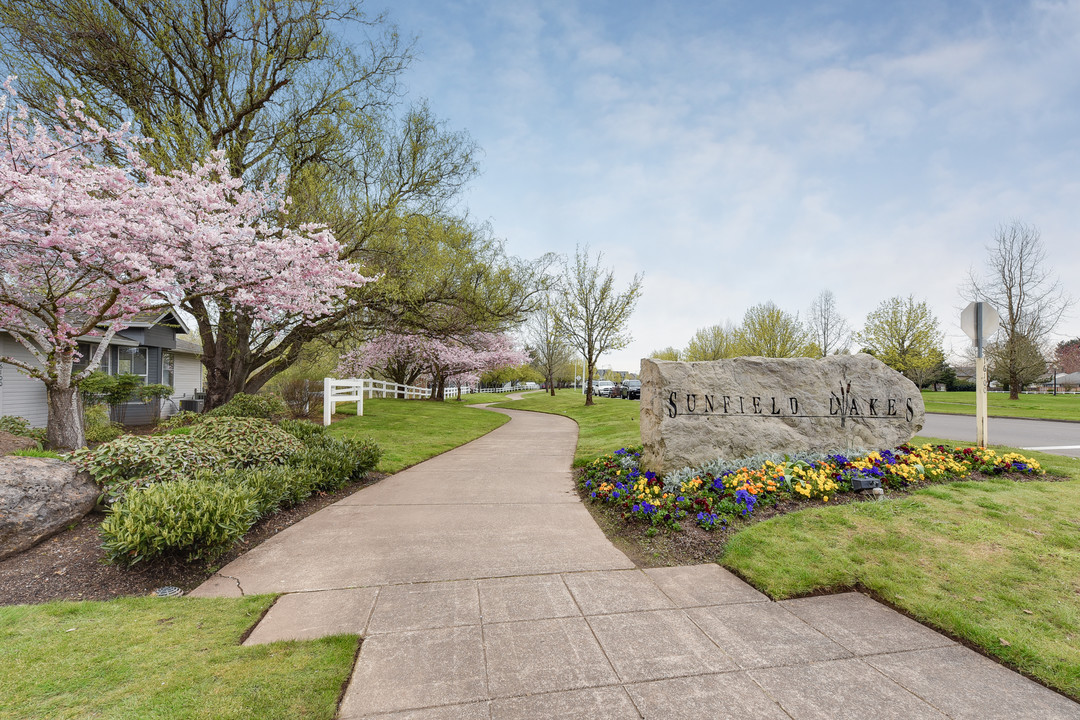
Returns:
(1045, 436)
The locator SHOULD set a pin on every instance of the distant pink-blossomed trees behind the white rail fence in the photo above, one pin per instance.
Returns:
(403, 359)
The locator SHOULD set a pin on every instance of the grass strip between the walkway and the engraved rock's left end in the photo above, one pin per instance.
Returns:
(607, 426)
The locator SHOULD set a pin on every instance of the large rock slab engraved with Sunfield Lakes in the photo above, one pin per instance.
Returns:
(693, 413)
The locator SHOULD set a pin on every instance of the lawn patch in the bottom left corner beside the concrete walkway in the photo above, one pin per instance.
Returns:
(151, 659)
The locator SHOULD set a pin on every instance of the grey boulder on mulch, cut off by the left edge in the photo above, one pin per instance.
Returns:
(39, 497)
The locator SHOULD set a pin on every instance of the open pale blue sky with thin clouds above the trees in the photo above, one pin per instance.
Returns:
(737, 153)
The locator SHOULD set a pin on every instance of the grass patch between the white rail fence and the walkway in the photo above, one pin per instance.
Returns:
(413, 431)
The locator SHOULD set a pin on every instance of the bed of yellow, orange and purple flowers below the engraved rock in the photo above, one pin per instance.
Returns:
(713, 496)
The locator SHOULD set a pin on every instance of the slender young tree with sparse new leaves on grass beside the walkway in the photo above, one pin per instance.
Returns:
(591, 314)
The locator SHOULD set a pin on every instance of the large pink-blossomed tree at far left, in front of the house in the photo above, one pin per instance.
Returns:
(86, 246)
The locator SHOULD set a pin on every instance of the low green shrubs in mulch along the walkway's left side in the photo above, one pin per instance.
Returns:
(197, 494)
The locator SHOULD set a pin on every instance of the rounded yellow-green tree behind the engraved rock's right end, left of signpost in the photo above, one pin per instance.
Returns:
(903, 334)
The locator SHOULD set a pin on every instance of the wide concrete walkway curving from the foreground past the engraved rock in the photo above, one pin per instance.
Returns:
(484, 591)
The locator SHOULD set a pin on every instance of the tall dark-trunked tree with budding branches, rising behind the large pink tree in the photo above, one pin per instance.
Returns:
(268, 84)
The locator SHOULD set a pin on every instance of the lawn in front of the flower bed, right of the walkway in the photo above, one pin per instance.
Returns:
(996, 563)
